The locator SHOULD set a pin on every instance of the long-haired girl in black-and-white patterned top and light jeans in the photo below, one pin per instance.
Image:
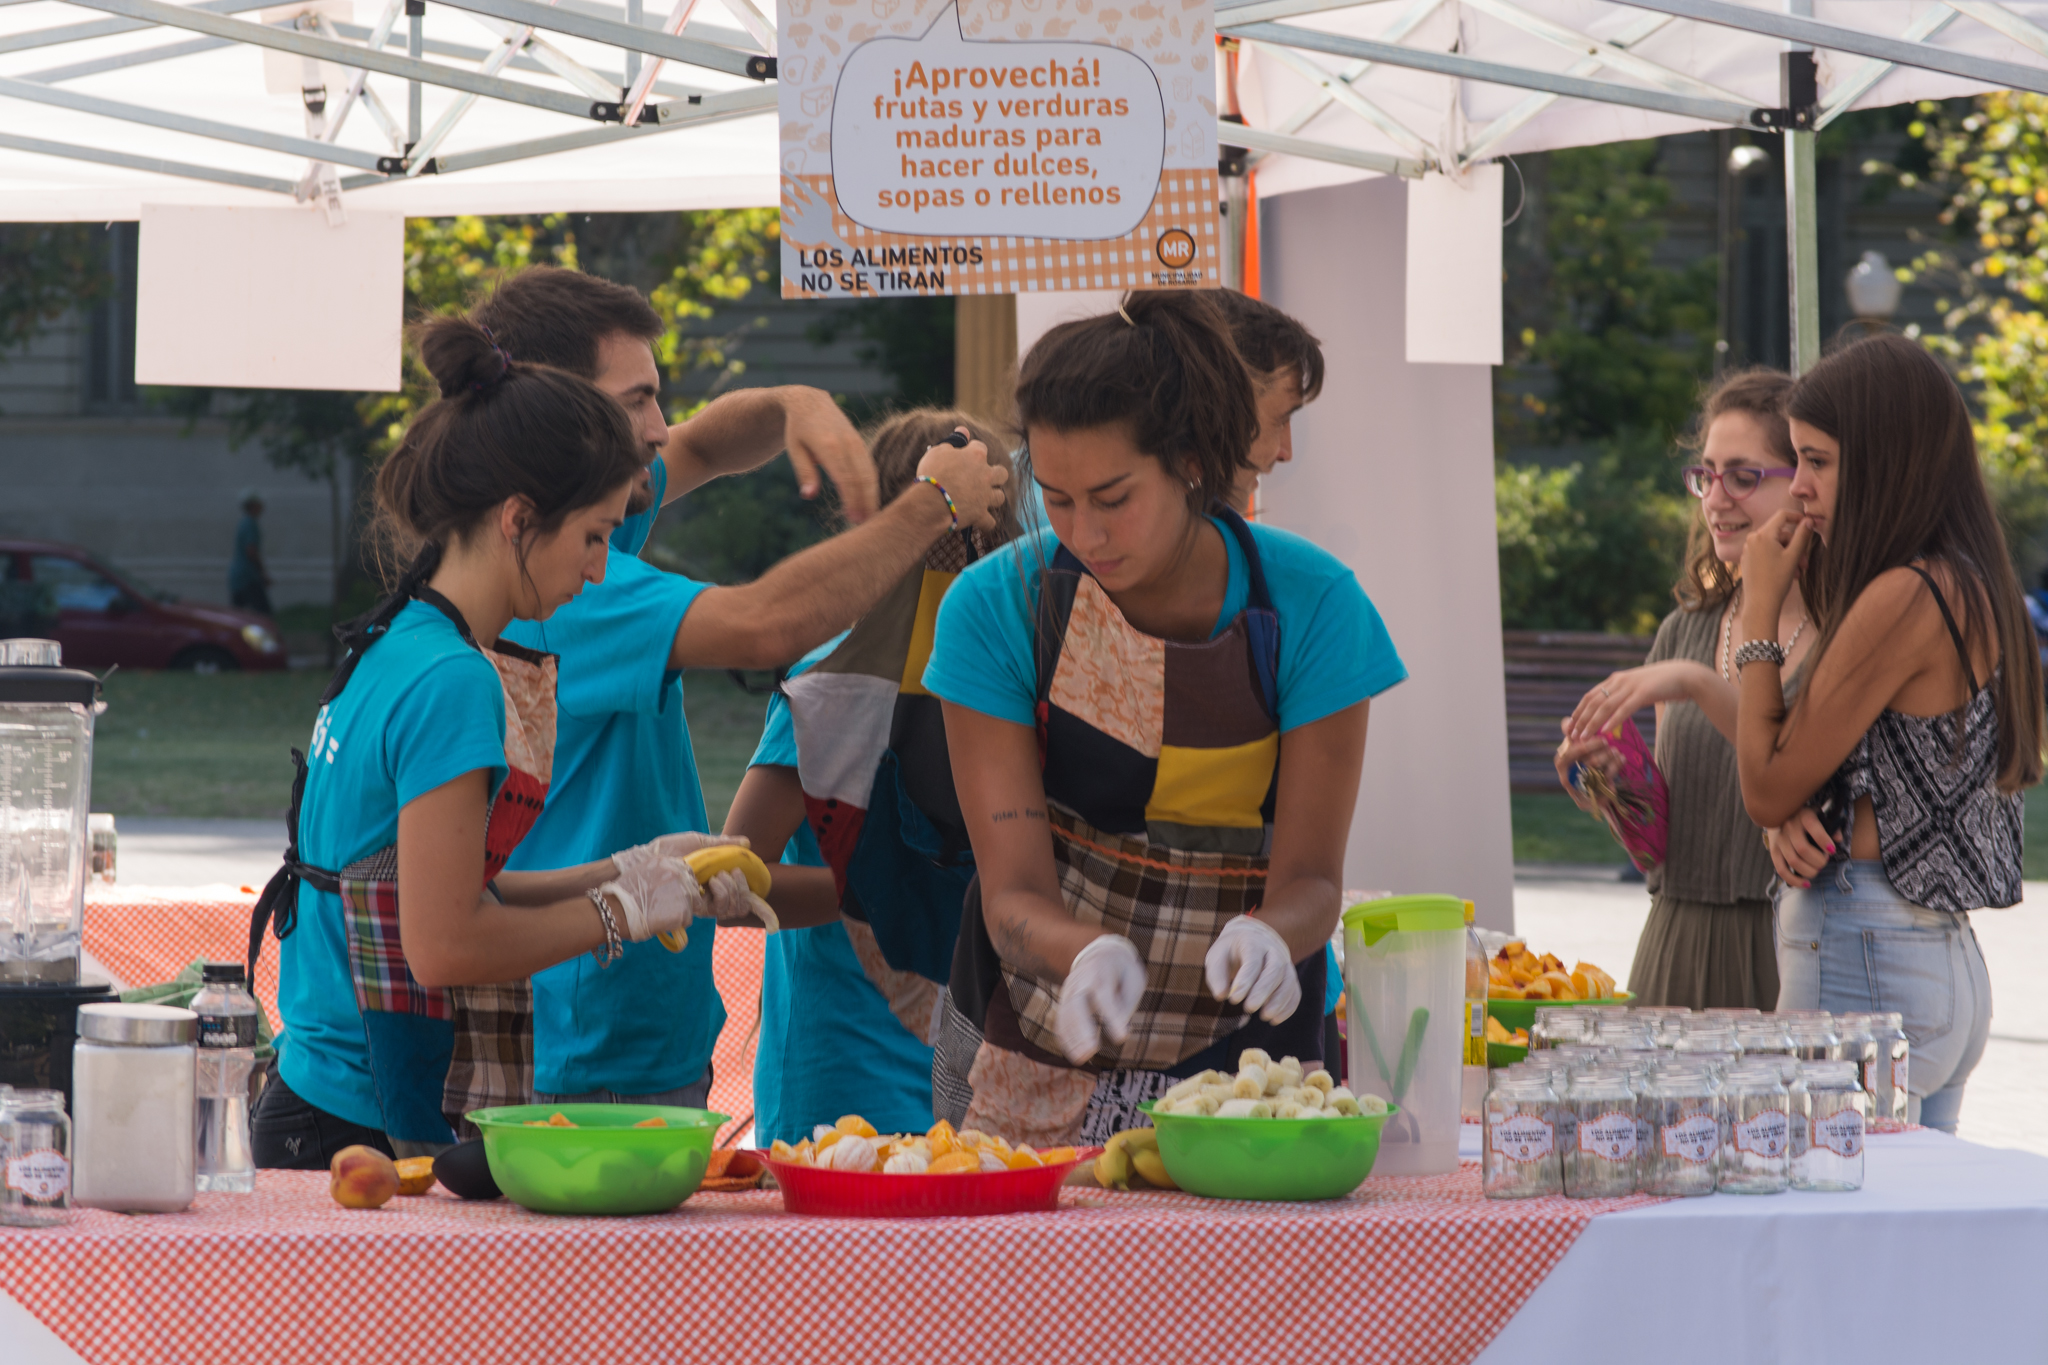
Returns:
(1891, 787)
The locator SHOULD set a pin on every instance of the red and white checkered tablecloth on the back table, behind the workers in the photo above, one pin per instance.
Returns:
(146, 936)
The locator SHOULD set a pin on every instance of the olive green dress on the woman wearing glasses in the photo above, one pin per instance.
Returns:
(1709, 936)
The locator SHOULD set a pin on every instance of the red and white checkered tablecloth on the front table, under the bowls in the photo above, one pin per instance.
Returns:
(1412, 1272)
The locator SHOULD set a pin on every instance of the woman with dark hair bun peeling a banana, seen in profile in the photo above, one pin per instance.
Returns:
(431, 760)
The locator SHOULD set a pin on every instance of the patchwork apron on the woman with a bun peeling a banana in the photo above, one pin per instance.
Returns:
(435, 1053)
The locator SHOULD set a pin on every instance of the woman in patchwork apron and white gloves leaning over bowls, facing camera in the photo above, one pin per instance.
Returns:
(1158, 719)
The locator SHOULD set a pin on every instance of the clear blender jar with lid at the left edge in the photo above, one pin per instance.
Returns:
(46, 785)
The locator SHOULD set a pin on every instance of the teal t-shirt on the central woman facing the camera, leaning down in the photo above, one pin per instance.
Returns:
(1334, 648)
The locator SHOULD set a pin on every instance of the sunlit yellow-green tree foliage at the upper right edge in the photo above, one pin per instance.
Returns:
(1992, 159)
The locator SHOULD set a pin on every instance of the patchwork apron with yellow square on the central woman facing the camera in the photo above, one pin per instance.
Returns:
(1162, 764)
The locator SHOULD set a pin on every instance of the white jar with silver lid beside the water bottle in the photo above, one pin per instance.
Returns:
(132, 1108)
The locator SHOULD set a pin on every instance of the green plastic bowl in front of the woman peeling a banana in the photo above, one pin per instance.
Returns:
(603, 1165)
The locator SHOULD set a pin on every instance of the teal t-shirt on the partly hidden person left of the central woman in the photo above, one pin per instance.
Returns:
(828, 1045)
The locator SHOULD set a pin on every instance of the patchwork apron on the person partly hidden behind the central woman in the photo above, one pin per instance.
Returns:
(878, 789)
